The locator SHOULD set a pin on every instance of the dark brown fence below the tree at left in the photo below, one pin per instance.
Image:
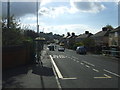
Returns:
(16, 56)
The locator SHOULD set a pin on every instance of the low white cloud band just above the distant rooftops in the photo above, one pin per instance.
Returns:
(76, 28)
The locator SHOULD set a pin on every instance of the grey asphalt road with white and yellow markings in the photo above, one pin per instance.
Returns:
(84, 71)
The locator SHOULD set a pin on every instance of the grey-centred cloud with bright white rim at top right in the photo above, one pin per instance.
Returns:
(89, 7)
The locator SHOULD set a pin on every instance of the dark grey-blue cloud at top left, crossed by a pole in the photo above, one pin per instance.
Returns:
(19, 9)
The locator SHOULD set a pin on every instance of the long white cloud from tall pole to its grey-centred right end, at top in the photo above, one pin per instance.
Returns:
(86, 7)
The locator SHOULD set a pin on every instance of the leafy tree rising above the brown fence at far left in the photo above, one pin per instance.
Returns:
(11, 35)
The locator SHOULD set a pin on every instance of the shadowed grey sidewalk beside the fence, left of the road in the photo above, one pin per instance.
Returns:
(31, 76)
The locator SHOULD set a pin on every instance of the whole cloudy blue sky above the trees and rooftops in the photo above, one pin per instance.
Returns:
(65, 16)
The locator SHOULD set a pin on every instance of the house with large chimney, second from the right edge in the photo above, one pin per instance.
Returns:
(101, 40)
